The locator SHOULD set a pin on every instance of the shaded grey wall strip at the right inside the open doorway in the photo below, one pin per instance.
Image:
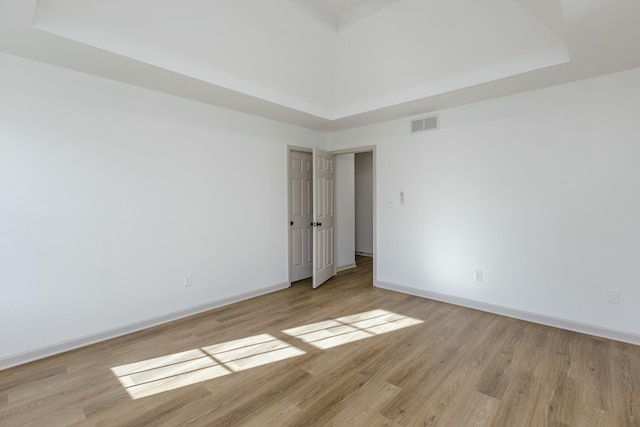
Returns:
(364, 202)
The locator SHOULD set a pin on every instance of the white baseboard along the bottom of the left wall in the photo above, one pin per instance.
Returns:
(64, 346)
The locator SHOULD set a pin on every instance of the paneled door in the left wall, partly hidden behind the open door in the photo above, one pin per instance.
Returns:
(301, 214)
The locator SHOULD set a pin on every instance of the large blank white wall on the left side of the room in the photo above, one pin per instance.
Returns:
(109, 194)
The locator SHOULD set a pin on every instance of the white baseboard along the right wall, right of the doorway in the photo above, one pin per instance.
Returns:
(542, 319)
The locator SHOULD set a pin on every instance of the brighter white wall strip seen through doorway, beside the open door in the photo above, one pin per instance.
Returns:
(345, 211)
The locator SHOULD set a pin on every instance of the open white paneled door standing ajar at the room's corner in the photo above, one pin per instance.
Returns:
(324, 266)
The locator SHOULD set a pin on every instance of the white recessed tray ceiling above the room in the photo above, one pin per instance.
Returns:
(578, 38)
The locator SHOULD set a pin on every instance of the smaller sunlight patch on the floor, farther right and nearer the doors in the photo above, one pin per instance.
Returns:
(344, 330)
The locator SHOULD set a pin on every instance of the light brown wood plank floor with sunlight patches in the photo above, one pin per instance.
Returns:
(346, 354)
